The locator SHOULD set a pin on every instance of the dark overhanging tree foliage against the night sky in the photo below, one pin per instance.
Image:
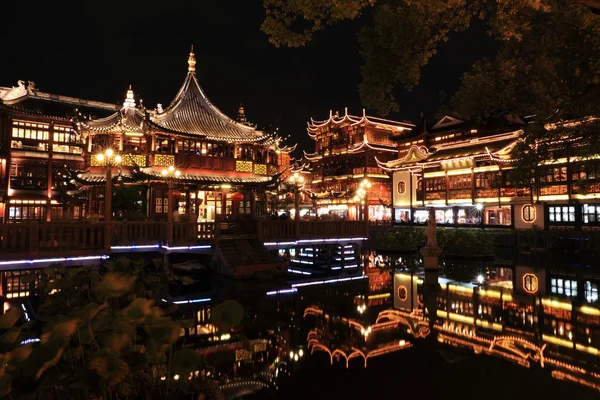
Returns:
(548, 58)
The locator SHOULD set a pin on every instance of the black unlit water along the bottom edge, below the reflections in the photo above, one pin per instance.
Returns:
(418, 373)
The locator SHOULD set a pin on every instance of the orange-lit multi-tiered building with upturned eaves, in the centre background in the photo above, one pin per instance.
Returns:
(346, 148)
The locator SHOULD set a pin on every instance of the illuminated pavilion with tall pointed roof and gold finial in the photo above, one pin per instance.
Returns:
(224, 165)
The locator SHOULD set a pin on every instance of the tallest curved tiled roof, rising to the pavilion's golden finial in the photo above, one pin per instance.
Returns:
(192, 113)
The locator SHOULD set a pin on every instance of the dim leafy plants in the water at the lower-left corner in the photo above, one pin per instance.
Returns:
(102, 336)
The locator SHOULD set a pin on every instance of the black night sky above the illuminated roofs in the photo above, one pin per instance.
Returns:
(94, 50)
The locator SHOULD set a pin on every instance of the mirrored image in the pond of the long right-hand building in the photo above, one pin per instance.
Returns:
(558, 312)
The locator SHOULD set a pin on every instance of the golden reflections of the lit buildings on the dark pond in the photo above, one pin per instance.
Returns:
(495, 307)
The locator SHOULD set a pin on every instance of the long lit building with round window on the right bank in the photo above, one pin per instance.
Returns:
(464, 172)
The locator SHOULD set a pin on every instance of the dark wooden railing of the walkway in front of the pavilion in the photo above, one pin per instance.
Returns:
(34, 241)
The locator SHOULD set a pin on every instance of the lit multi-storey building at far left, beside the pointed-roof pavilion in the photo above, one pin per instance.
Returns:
(39, 142)
